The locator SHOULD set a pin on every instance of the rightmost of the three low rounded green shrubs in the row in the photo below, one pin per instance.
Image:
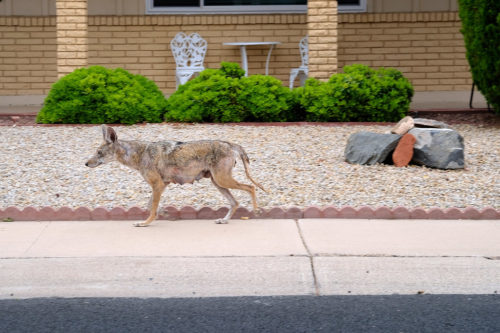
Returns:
(359, 94)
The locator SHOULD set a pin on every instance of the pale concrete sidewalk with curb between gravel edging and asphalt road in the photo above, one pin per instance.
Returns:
(249, 257)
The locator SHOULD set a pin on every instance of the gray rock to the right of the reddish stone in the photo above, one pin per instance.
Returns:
(438, 148)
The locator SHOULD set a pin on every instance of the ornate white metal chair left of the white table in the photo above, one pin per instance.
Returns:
(189, 53)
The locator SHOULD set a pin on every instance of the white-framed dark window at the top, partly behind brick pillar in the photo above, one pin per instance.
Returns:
(241, 6)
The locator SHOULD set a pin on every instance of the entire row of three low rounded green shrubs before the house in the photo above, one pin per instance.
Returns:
(100, 95)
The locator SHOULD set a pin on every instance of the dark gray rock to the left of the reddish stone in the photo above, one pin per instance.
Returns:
(370, 148)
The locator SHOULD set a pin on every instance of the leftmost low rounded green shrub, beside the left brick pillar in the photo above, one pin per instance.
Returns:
(99, 95)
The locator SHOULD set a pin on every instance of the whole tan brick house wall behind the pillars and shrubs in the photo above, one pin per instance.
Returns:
(427, 47)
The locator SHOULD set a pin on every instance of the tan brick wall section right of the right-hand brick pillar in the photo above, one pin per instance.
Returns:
(427, 47)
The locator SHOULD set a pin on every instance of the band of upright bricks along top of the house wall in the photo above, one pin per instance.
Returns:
(143, 20)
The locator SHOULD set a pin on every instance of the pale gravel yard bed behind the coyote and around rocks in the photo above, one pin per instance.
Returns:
(299, 165)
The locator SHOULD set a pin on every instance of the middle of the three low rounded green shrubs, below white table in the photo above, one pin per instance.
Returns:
(225, 95)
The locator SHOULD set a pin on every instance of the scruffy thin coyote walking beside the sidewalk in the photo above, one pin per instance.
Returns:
(164, 162)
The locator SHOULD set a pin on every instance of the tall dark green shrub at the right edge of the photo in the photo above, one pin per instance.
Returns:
(481, 30)
